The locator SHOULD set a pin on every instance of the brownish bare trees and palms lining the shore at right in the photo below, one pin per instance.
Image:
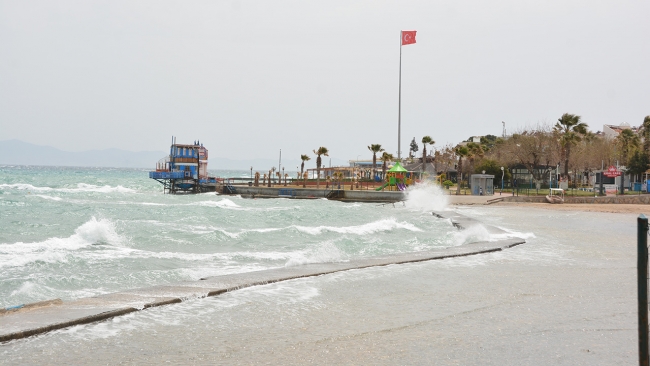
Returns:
(568, 144)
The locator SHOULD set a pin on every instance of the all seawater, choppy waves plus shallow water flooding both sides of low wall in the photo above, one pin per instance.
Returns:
(564, 297)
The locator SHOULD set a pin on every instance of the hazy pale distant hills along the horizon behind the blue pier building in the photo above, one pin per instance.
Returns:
(16, 152)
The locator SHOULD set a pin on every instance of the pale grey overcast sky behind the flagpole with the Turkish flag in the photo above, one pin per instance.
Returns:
(248, 78)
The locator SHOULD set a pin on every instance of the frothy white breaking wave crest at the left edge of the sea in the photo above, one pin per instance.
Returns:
(57, 249)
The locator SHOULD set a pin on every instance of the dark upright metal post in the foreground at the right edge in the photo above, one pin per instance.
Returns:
(642, 282)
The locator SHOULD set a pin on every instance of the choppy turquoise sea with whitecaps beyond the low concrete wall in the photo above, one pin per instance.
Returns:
(76, 232)
